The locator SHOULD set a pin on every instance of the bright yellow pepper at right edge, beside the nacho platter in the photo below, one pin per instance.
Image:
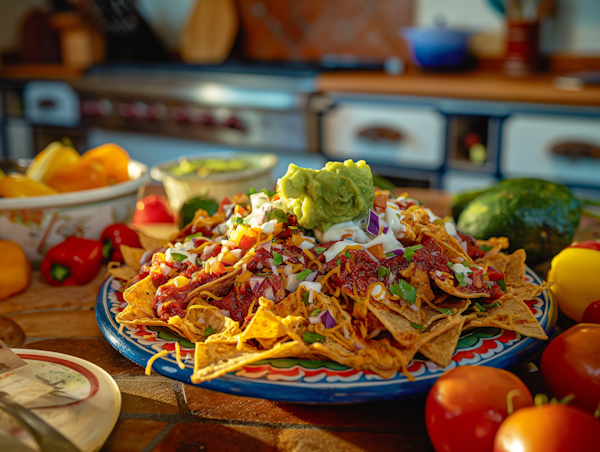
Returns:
(574, 273)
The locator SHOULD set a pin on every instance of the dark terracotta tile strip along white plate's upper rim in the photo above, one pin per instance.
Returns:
(97, 351)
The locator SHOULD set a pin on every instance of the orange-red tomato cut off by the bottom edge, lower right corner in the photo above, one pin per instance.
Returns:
(548, 428)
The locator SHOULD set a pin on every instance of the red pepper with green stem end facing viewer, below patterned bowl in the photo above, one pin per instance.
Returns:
(74, 262)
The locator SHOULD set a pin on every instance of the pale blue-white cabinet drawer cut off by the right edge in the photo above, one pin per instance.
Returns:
(562, 149)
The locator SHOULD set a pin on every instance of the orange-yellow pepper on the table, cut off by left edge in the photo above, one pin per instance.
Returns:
(15, 269)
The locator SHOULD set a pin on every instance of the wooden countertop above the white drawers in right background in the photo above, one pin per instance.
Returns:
(461, 85)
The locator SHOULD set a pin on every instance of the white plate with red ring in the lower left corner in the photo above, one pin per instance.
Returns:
(87, 401)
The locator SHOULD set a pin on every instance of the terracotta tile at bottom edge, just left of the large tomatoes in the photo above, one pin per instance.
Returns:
(322, 441)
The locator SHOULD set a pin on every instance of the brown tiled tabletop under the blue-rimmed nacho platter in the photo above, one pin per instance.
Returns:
(159, 414)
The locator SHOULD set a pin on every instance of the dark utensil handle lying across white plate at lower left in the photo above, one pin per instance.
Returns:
(48, 438)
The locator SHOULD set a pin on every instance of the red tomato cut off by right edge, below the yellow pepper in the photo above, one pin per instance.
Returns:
(571, 365)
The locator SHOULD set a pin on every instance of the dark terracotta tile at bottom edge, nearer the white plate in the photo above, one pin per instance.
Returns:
(218, 438)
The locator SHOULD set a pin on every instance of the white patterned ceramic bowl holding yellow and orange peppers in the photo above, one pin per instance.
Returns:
(38, 223)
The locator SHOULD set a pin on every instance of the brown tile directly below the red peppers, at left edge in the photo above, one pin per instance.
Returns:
(40, 295)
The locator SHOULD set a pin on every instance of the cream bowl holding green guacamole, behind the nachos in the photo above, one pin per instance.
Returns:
(180, 189)
